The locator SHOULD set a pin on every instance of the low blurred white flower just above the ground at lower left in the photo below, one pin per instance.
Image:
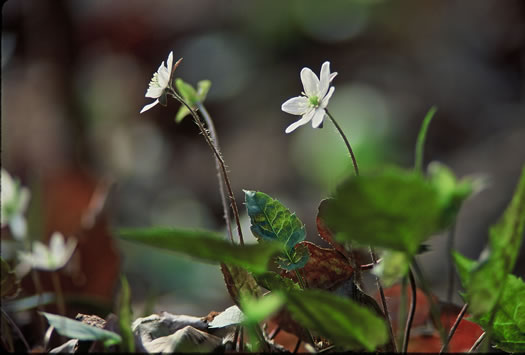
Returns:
(50, 258)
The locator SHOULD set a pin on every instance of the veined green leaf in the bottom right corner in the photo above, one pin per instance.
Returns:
(508, 329)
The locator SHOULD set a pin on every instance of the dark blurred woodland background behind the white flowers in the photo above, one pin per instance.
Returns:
(74, 75)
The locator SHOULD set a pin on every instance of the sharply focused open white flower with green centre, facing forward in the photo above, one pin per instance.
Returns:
(311, 105)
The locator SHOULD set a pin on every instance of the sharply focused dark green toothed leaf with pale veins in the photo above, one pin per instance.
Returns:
(273, 222)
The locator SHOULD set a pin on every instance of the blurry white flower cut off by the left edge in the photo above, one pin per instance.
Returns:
(14, 201)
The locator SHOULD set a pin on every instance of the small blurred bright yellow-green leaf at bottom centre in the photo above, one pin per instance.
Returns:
(258, 309)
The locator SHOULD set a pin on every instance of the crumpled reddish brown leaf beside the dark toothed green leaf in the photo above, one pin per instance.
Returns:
(325, 269)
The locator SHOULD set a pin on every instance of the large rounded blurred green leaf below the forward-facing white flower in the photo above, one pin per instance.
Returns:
(395, 209)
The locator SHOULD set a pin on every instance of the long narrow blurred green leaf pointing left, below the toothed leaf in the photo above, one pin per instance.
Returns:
(205, 245)
